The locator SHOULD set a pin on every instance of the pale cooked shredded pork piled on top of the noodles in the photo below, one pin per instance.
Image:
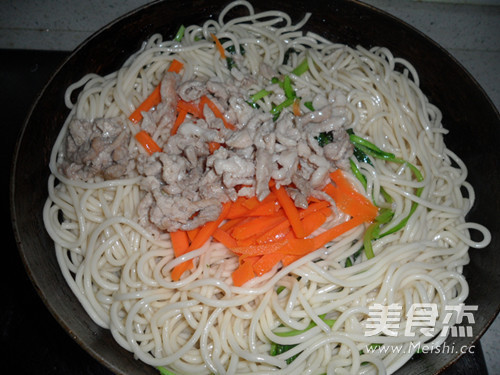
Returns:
(185, 185)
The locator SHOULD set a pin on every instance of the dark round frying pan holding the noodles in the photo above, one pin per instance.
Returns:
(472, 119)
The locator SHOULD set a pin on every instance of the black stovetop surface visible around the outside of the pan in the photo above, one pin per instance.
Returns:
(32, 340)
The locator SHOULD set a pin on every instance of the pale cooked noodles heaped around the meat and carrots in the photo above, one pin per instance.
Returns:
(202, 324)
